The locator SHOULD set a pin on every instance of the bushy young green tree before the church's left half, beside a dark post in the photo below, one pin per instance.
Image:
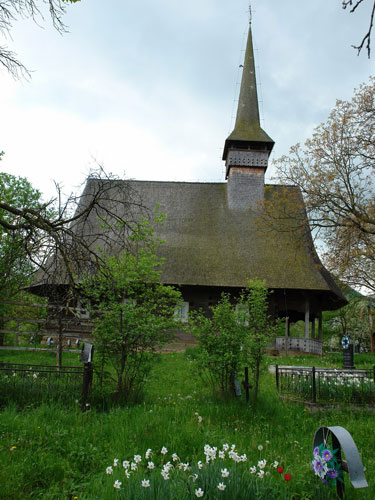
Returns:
(133, 311)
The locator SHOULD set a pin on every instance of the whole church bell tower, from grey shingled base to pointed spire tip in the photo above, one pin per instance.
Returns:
(247, 148)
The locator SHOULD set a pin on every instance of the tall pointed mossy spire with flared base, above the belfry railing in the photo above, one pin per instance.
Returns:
(247, 133)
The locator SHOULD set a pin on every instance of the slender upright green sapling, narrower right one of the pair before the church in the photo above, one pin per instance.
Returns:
(257, 326)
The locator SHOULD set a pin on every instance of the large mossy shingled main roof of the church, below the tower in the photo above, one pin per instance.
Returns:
(208, 244)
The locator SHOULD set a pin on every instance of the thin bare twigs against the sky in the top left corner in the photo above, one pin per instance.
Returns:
(12, 10)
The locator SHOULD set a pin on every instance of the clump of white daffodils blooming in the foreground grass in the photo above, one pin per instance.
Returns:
(221, 473)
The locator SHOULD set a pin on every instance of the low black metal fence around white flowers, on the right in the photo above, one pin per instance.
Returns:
(325, 385)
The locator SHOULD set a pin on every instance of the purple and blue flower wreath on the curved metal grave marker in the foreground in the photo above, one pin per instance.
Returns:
(326, 465)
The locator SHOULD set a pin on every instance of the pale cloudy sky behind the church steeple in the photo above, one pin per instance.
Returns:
(147, 88)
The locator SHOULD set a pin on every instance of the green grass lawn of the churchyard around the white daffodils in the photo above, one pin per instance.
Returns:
(60, 453)
